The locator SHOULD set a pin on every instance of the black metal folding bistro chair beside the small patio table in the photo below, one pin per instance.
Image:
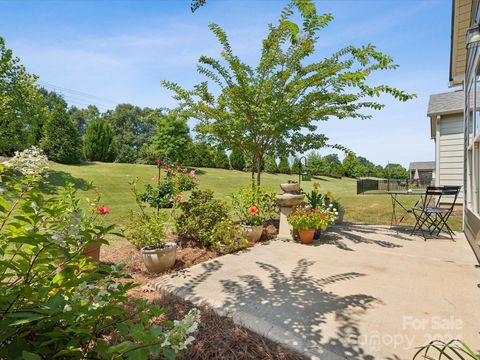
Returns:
(431, 215)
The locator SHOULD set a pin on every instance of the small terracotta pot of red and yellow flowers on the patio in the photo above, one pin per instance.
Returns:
(306, 220)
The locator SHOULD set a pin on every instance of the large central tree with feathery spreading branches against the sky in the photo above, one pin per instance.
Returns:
(274, 107)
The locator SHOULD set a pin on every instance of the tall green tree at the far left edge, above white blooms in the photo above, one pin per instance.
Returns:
(22, 110)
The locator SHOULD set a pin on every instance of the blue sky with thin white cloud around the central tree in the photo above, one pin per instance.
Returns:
(108, 52)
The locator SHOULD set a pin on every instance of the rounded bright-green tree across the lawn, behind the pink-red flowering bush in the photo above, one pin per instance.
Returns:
(172, 137)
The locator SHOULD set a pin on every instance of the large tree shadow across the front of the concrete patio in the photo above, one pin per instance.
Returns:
(299, 310)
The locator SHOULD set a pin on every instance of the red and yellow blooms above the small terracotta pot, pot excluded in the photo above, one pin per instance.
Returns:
(306, 218)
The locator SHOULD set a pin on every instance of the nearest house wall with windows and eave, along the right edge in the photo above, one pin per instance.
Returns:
(464, 70)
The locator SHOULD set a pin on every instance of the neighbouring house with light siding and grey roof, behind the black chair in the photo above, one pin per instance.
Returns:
(445, 112)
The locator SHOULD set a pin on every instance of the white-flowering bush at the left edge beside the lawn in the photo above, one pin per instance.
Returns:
(31, 161)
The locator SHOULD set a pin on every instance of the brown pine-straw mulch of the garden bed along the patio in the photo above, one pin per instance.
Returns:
(218, 337)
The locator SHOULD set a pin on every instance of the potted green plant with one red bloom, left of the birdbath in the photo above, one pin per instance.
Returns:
(253, 206)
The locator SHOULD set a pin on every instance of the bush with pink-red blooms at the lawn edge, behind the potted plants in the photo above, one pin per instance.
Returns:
(167, 190)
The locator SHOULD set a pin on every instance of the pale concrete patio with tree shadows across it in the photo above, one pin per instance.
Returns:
(362, 292)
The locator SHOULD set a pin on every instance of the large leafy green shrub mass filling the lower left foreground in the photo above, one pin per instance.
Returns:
(54, 304)
